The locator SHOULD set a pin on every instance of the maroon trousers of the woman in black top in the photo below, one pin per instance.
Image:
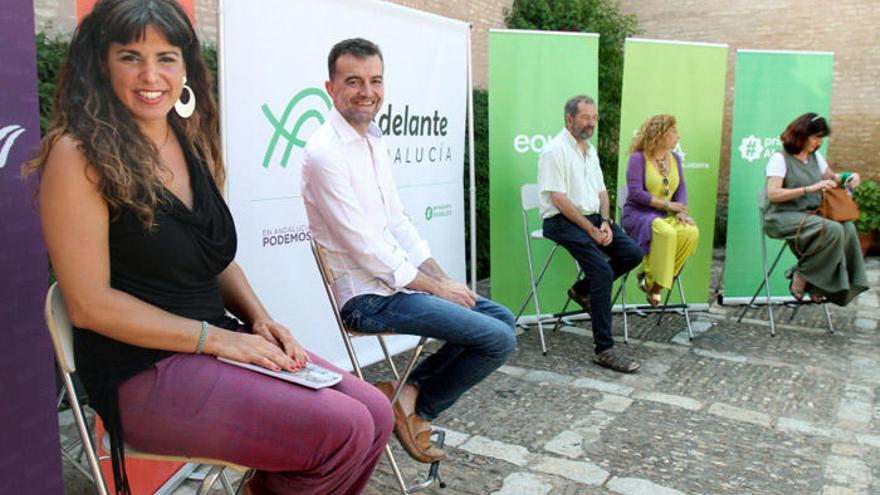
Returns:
(299, 440)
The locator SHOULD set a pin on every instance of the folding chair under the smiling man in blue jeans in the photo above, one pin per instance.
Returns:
(328, 278)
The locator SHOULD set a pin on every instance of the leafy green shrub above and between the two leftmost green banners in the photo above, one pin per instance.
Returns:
(592, 16)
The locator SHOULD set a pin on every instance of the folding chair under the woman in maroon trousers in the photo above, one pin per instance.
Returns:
(61, 332)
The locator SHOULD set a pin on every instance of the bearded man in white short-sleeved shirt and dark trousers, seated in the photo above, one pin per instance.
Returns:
(576, 213)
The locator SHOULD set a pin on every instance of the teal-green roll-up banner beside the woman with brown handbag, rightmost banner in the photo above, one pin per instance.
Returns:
(772, 89)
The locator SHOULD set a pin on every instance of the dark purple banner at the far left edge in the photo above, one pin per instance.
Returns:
(30, 460)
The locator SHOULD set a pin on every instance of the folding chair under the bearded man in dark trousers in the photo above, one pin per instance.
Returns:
(529, 200)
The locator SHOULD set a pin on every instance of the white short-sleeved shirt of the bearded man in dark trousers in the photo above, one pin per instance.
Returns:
(562, 168)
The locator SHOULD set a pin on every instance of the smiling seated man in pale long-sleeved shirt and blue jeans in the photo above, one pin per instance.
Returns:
(386, 279)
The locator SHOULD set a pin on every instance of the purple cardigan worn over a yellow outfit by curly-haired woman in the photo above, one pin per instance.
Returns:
(637, 211)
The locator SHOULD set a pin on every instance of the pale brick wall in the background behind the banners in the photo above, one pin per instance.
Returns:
(846, 27)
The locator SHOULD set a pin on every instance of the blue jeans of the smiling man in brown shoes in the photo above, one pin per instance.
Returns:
(477, 341)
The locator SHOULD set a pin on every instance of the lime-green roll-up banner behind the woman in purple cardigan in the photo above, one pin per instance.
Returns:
(687, 81)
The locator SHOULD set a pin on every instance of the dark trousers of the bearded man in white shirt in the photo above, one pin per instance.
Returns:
(601, 266)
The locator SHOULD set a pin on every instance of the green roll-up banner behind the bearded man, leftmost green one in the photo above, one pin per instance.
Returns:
(531, 75)
